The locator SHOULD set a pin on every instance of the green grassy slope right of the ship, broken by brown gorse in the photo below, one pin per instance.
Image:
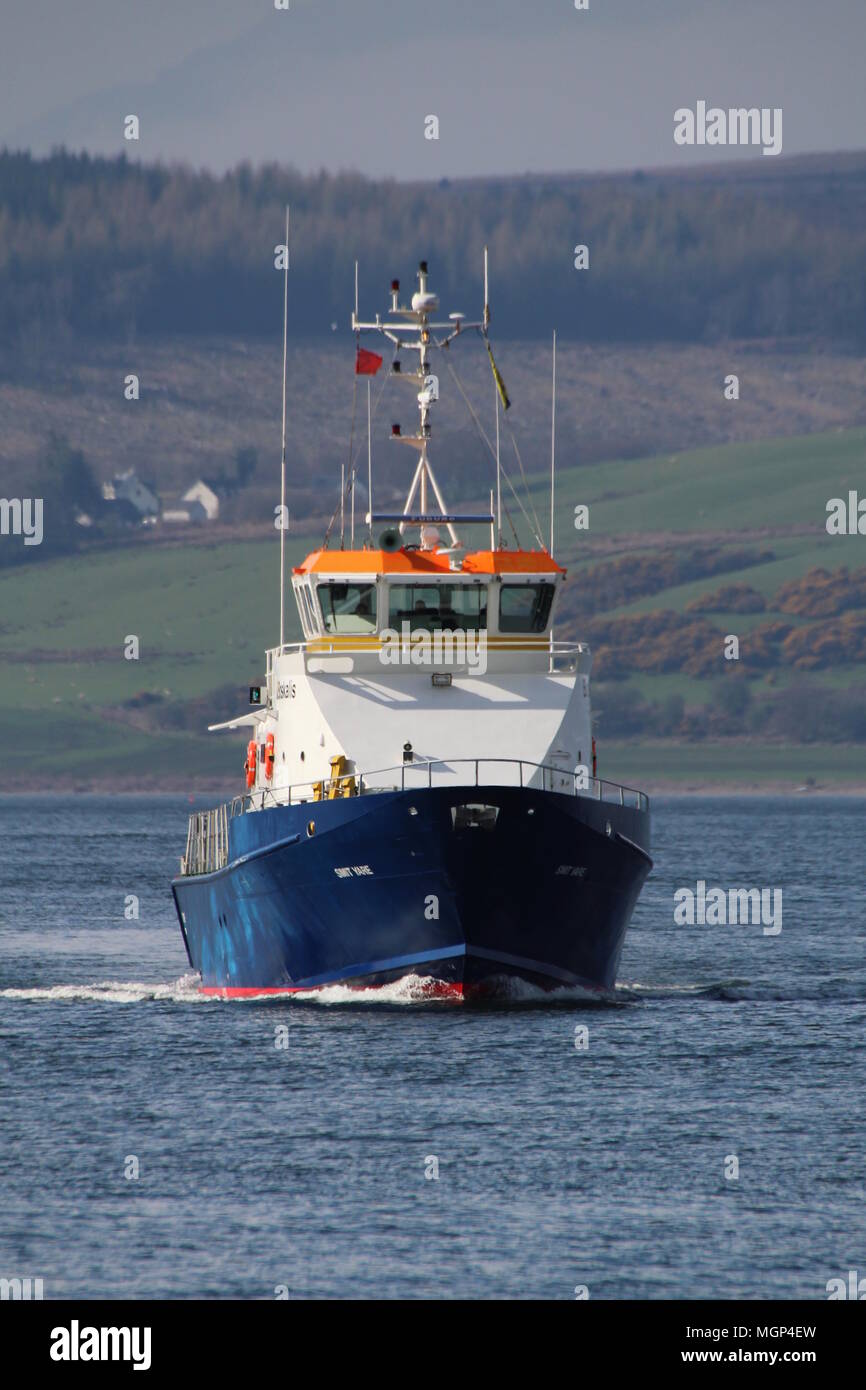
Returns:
(767, 497)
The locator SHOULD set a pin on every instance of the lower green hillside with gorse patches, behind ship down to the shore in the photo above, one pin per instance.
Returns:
(743, 518)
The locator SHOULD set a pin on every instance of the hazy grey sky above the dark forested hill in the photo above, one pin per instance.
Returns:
(518, 85)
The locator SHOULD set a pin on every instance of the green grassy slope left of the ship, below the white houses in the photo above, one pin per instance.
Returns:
(204, 618)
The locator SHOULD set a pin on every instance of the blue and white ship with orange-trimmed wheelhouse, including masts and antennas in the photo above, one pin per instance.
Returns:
(422, 799)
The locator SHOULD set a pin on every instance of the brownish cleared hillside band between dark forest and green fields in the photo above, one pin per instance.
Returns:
(205, 400)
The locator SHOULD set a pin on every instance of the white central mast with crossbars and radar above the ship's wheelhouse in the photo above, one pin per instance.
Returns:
(415, 332)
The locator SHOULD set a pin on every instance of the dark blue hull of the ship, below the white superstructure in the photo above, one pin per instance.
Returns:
(368, 890)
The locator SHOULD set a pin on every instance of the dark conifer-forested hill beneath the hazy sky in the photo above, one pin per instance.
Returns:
(106, 248)
